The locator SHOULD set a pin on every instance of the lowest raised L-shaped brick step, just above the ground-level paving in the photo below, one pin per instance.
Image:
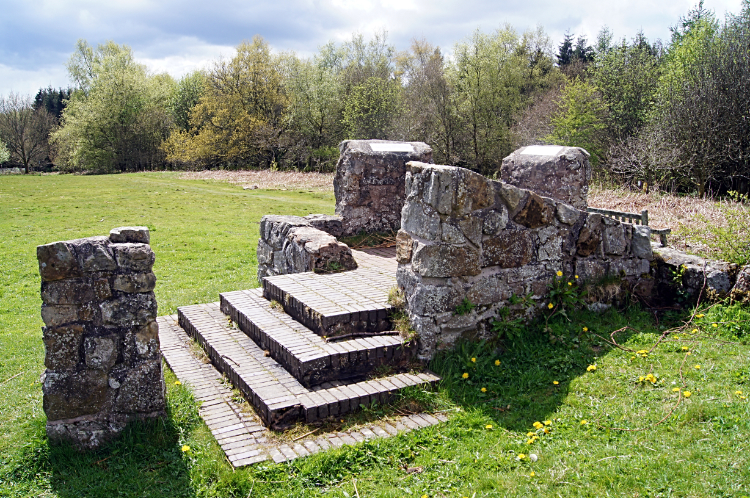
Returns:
(279, 399)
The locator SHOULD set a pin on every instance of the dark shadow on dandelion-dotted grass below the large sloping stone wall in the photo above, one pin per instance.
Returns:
(535, 371)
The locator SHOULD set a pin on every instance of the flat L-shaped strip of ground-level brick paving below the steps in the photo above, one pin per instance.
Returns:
(241, 436)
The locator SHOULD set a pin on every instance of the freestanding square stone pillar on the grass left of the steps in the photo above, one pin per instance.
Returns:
(100, 336)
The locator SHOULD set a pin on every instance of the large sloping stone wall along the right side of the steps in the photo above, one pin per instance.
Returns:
(464, 236)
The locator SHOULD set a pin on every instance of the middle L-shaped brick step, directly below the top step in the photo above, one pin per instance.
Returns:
(304, 354)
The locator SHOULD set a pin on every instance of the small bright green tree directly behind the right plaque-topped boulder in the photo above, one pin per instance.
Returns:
(580, 119)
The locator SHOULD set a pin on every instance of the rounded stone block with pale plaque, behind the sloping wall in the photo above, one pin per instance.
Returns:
(562, 173)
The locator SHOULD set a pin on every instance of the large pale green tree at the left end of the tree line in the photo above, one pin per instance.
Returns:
(117, 118)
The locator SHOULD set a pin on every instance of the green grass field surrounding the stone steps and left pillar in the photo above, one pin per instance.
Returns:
(626, 428)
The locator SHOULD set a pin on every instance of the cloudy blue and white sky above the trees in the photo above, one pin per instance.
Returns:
(37, 38)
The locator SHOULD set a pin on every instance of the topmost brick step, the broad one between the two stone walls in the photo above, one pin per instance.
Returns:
(335, 304)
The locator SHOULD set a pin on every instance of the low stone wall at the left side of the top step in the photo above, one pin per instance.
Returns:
(292, 244)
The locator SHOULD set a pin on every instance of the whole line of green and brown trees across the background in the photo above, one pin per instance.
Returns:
(674, 114)
